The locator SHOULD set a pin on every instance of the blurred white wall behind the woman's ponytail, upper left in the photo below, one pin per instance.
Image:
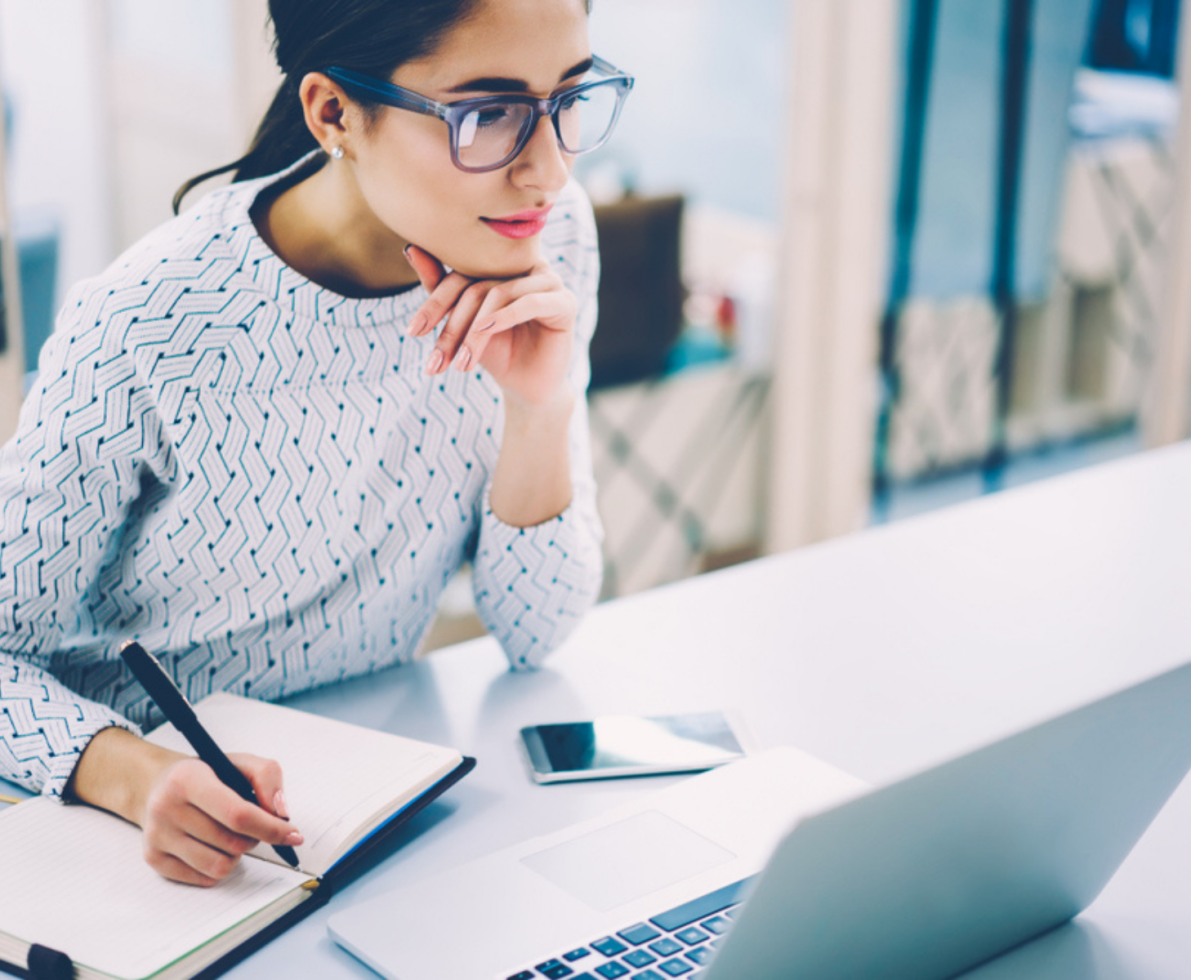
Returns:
(116, 103)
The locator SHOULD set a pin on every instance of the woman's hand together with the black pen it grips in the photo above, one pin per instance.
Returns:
(203, 814)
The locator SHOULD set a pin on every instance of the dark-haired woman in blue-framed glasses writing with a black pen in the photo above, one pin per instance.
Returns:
(253, 446)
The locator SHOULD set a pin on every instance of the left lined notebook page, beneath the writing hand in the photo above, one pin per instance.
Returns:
(74, 879)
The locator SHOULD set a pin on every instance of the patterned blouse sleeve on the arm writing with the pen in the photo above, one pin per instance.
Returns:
(67, 479)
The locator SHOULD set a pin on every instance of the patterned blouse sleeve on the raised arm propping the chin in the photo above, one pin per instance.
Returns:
(533, 585)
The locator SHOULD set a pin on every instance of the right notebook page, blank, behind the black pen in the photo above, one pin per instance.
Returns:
(338, 777)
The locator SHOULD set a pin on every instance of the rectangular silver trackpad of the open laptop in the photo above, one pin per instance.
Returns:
(627, 860)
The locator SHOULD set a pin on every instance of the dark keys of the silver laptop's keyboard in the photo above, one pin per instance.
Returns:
(676, 944)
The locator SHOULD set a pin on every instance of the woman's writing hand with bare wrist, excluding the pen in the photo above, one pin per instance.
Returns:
(196, 828)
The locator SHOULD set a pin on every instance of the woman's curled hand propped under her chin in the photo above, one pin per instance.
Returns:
(520, 330)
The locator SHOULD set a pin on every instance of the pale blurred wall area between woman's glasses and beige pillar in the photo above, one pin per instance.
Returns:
(708, 114)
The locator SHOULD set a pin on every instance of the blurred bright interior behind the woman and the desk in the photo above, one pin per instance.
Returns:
(862, 258)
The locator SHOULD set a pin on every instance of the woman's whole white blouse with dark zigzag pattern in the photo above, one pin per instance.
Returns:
(255, 478)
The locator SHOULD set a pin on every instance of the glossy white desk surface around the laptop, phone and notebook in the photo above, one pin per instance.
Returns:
(881, 653)
